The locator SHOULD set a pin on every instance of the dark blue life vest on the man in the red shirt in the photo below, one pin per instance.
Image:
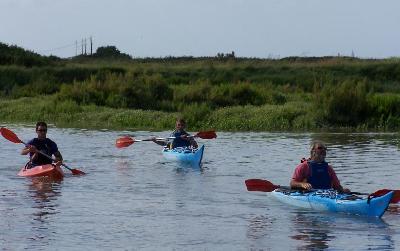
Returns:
(319, 176)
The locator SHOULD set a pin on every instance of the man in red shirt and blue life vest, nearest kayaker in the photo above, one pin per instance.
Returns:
(315, 173)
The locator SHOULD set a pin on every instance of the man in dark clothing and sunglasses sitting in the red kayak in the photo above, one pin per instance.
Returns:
(42, 144)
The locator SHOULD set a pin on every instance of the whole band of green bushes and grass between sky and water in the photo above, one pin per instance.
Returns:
(111, 90)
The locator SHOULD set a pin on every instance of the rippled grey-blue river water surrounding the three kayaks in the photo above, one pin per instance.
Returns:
(132, 199)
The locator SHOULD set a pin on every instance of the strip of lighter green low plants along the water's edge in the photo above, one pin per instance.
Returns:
(291, 116)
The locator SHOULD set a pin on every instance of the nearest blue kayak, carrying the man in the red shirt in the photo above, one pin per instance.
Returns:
(332, 201)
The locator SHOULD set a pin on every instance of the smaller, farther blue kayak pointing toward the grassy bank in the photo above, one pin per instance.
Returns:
(184, 155)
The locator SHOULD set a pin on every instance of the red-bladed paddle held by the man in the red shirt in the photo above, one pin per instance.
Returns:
(267, 186)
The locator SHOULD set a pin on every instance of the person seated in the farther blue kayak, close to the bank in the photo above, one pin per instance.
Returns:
(180, 137)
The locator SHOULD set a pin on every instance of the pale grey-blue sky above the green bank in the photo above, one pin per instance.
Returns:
(250, 28)
